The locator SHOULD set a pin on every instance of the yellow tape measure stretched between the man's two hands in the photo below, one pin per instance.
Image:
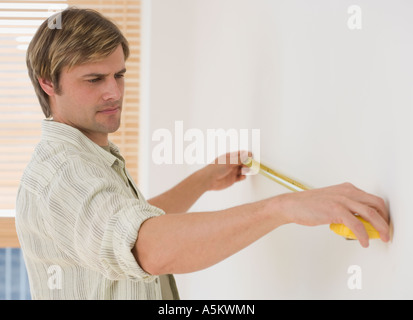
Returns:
(295, 186)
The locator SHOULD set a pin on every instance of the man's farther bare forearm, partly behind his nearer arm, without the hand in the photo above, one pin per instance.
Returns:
(181, 197)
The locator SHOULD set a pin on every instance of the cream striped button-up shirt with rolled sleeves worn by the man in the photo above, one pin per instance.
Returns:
(78, 214)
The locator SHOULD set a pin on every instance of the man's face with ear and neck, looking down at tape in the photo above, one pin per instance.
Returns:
(91, 97)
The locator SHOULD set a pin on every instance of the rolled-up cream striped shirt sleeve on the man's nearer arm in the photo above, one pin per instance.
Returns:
(94, 221)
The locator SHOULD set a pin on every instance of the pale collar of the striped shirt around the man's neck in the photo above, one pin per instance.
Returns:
(60, 132)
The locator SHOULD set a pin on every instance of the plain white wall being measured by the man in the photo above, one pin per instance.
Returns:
(332, 104)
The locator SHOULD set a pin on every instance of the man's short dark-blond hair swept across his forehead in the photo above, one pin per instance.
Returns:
(85, 36)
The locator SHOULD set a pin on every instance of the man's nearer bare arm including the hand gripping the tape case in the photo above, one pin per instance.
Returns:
(182, 243)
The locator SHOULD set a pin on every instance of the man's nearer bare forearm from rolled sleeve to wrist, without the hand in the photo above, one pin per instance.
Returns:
(182, 243)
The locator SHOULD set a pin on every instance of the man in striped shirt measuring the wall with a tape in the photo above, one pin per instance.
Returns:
(85, 229)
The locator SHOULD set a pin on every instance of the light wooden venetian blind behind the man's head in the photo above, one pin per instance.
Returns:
(20, 112)
